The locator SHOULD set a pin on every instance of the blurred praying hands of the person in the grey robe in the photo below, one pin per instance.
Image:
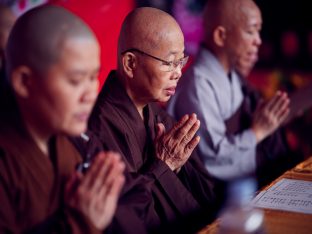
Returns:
(269, 115)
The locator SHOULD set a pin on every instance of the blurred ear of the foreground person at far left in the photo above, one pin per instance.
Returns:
(21, 79)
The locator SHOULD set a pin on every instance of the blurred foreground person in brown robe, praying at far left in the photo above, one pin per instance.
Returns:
(52, 64)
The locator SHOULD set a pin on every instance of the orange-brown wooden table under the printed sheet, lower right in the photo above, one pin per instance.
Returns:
(282, 222)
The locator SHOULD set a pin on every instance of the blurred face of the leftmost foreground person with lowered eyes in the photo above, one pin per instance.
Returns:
(63, 98)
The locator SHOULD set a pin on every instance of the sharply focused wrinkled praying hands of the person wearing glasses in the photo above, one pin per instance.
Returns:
(175, 146)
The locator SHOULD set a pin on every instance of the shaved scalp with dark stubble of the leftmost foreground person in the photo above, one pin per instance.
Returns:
(38, 35)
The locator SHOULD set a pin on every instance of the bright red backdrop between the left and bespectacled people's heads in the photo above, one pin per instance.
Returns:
(105, 18)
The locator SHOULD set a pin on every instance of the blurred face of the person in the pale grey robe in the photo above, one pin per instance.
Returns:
(243, 41)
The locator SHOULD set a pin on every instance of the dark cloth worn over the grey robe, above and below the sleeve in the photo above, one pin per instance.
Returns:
(272, 154)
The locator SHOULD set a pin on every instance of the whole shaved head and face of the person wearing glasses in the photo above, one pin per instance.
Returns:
(150, 43)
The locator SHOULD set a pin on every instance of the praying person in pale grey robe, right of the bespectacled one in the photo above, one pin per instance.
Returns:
(235, 128)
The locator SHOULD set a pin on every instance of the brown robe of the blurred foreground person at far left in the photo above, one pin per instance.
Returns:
(32, 185)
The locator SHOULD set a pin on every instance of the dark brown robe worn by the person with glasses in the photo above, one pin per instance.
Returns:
(179, 198)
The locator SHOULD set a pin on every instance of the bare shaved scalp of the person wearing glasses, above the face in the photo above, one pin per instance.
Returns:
(147, 29)
